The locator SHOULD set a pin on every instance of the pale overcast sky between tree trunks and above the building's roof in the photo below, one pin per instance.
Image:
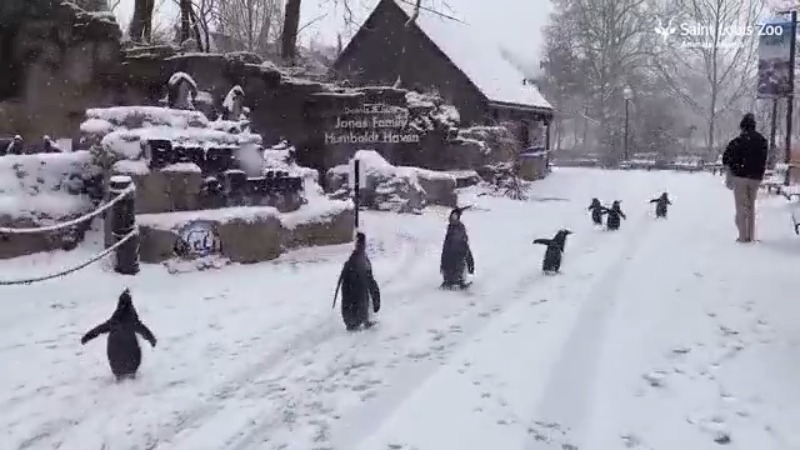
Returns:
(516, 23)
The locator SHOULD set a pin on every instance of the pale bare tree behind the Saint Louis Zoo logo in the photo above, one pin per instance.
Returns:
(712, 68)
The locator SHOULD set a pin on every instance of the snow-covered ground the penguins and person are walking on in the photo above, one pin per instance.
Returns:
(664, 335)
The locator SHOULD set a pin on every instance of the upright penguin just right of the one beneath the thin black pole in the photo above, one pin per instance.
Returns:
(456, 260)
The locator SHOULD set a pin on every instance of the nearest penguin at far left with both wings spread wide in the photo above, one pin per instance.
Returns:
(124, 354)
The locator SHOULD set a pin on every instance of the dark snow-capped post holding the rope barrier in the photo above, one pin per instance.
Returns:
(123, 222)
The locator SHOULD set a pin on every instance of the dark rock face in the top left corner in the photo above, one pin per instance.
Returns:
(59, 64)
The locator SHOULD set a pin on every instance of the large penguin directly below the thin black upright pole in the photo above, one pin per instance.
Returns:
(358, 288)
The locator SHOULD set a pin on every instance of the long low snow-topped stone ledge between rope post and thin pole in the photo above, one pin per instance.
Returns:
(251, 234)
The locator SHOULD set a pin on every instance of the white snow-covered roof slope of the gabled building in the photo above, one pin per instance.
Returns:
(479, 58)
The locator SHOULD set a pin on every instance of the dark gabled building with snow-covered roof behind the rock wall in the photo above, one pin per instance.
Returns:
(448, 56)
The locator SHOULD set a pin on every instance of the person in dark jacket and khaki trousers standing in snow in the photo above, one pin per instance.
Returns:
(745, 160)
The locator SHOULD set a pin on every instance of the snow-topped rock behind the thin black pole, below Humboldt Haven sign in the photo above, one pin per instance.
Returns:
(391, 188)
